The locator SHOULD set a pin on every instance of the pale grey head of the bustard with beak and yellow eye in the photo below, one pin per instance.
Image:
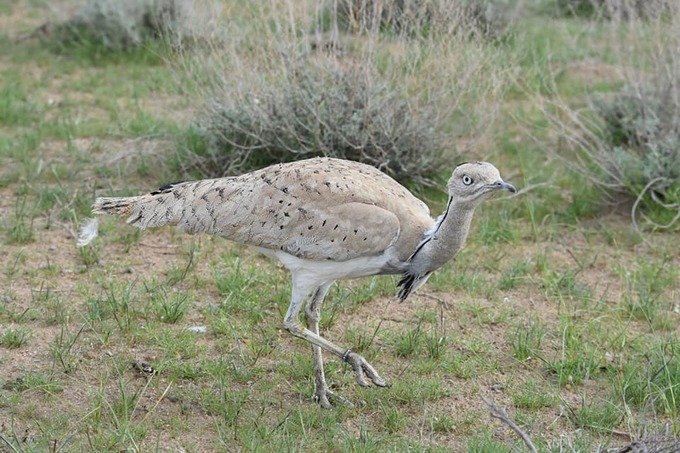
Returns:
(473, 182)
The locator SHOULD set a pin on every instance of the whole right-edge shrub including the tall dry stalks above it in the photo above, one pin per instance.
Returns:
(627, 141)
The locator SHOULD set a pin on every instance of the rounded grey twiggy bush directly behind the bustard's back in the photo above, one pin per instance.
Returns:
(323, 110)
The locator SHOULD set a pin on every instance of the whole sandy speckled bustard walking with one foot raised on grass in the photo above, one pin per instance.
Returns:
(324, 219)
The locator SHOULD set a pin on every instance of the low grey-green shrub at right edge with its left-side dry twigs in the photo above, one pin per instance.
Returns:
(628, 144)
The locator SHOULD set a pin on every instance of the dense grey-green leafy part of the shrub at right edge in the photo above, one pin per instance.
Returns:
(640, 148)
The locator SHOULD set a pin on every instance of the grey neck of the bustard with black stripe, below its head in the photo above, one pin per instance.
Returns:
(445, 239)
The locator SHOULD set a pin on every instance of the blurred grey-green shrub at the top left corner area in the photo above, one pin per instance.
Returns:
(123, 25)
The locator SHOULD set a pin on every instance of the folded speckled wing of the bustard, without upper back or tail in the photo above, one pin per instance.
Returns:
(310, 227)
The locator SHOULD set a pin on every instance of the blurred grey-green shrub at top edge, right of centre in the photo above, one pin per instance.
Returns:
(490, 18)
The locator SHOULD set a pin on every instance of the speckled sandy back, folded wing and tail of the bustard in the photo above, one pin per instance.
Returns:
(320, 209)
